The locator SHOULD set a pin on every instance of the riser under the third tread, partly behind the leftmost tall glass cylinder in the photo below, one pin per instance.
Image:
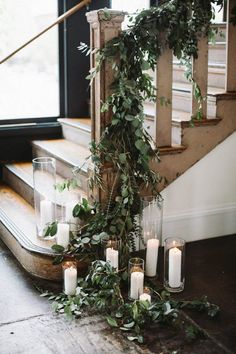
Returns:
(63, 168)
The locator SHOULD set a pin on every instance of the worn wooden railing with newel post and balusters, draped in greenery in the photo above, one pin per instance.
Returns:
(102, 30)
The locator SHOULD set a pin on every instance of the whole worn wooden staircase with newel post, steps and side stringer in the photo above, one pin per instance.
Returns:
(180, 145)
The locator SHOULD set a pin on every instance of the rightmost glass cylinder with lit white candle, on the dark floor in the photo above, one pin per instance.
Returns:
(174, 259)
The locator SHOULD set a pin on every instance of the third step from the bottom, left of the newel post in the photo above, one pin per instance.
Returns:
(68, 155)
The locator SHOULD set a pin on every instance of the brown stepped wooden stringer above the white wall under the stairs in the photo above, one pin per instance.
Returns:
(199, 141)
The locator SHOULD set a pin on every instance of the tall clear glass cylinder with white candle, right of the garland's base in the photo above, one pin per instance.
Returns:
(151, 219)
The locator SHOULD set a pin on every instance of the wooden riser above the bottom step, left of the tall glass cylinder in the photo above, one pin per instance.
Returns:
(25, 190)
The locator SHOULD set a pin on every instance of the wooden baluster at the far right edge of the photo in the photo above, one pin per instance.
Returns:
(230, 84)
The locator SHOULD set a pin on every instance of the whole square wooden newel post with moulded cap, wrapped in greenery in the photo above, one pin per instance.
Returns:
(104, 26)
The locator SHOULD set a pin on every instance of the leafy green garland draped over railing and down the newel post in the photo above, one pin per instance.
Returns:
(125, 144)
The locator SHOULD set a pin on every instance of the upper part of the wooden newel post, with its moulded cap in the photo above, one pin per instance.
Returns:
(104, 25)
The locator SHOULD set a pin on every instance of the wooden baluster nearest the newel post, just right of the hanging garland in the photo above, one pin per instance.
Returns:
(163, 115)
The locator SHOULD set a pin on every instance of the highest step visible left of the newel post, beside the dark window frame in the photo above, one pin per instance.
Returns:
(76, 130)
